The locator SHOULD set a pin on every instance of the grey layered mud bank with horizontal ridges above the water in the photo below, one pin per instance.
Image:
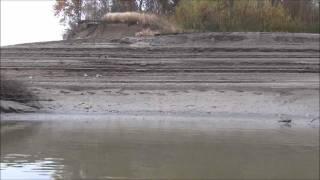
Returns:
(268, 74)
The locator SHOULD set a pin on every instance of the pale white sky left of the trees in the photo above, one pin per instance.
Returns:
(24, 21)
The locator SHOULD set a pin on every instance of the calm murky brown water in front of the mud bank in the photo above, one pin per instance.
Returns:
(157, 148)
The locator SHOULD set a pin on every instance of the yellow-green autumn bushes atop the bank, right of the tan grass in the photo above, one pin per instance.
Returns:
(240, 15)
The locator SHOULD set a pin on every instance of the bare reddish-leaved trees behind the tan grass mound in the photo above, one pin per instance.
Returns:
(72, 12)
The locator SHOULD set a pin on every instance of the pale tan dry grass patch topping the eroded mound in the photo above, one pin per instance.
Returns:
(153, 24)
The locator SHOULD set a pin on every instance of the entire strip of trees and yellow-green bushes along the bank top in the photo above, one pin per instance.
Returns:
(205, 15)
